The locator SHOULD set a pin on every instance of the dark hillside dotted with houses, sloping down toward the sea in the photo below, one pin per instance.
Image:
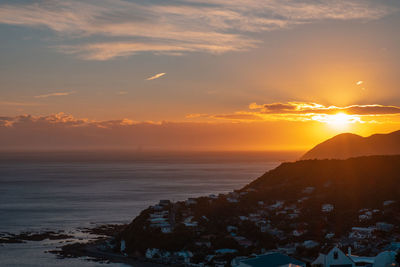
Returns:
(299, 208)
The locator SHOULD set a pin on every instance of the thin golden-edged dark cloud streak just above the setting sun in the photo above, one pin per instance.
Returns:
(303, 111)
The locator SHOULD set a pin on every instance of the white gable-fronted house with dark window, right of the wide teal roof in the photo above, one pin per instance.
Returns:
(333, 258)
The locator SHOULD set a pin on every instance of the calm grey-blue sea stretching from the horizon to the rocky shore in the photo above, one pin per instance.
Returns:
(72, 190)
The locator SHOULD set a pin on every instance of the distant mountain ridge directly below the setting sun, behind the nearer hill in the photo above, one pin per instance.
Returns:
(349, 145)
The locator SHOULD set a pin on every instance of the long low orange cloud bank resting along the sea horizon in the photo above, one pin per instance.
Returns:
(236, 131)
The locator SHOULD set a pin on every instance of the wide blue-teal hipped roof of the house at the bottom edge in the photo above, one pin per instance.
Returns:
(272, 259)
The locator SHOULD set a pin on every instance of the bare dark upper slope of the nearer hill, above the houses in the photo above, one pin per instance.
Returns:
(356, 180)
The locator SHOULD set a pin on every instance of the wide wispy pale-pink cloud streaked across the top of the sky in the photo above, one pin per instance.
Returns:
(175, 27)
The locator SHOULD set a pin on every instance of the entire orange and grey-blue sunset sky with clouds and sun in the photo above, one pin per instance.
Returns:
(198, 75)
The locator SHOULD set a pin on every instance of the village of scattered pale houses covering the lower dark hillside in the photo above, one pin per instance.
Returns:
(254, 232)
